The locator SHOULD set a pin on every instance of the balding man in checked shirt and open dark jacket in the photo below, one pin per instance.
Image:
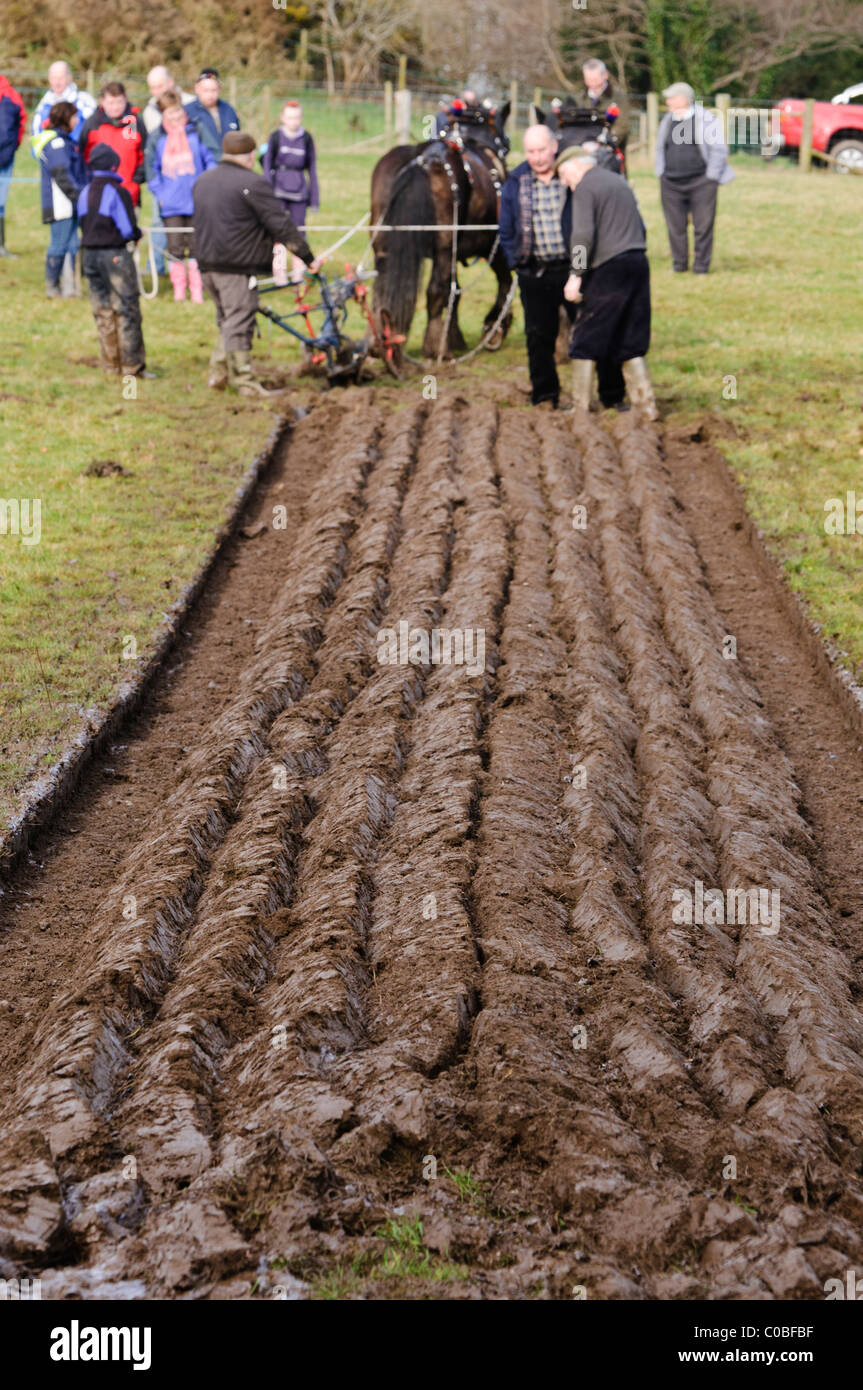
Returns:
(534, 236)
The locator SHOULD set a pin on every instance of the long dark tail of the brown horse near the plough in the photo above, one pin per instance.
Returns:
(401, 255)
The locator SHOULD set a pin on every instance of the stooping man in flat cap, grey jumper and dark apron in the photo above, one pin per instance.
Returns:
(612, 279)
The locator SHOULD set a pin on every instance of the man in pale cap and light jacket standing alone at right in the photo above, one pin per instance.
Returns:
(691, 163)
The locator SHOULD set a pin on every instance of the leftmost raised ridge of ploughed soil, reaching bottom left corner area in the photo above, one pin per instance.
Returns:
(135, 932)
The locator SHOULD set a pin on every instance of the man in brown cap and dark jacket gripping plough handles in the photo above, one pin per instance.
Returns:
(238, 219)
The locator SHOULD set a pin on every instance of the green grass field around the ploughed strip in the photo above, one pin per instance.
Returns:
(766, 347)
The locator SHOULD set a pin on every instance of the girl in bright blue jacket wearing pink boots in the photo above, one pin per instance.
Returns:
(180, 159)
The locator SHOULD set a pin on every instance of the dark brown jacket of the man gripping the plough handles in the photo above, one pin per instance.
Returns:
(237, 222)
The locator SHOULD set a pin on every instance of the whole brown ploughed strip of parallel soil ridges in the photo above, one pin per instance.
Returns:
(511, 976)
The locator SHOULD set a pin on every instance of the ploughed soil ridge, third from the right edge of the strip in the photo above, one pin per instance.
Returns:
(647, 1070)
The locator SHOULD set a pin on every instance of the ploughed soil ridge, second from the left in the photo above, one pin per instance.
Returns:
(227, 957)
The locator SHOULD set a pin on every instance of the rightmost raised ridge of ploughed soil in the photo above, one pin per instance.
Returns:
(798, 975)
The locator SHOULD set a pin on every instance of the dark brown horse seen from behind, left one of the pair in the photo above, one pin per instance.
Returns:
(455, 179)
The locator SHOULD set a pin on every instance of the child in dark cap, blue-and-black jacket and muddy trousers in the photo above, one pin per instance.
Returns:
(106, 218)
